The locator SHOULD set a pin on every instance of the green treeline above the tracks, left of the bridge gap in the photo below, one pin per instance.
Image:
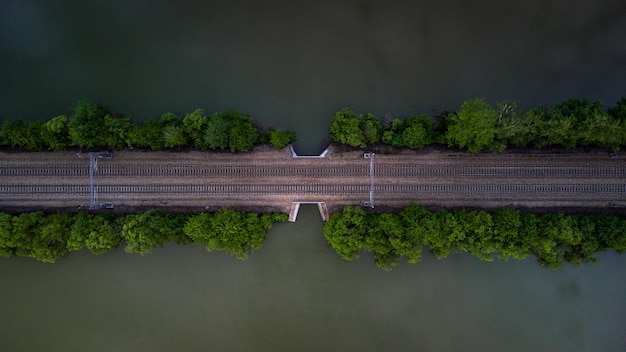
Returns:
(91, 125)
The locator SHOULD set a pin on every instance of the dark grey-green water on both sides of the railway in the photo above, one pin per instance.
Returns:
(292, 64)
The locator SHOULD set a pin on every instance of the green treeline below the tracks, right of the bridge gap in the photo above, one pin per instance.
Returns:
(553, 238)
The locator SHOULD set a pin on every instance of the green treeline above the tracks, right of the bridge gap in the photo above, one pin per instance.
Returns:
(478, 126)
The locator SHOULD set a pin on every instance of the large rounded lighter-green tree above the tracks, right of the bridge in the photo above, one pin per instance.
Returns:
(474, 127)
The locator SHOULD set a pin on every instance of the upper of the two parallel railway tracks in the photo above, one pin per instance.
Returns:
(382, 170)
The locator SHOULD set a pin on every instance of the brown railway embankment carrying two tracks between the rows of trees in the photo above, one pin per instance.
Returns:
(270, 180)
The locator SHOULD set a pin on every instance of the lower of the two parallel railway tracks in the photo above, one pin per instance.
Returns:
(613, 191)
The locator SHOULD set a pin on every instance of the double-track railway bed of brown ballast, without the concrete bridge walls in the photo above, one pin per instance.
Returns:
(191, 181)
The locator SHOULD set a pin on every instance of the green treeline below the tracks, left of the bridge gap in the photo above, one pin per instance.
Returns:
(50, 237)
